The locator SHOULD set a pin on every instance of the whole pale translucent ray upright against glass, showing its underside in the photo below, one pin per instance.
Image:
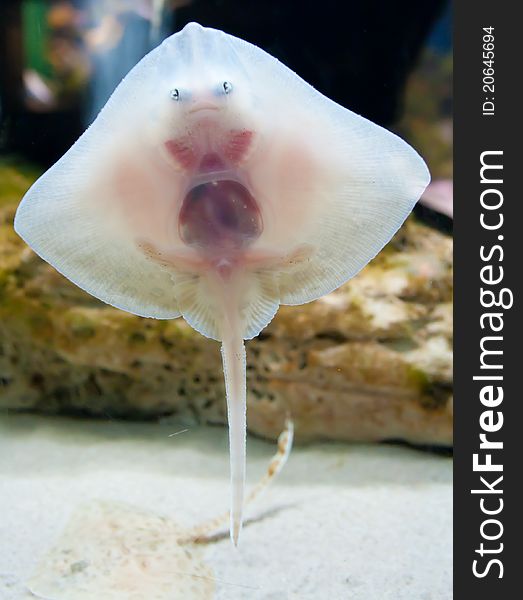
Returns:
(216, 184)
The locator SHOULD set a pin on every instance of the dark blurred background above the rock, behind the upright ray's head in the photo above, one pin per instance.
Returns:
(387, 60)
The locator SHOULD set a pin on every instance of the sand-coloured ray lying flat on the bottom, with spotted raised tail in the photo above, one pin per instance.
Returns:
(114, 551)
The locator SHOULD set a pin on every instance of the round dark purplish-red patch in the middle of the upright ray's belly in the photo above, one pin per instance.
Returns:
(219, 215)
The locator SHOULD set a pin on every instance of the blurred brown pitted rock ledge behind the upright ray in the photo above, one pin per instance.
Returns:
(371, 361)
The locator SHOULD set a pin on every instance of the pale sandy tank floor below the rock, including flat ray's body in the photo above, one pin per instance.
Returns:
(356, 522)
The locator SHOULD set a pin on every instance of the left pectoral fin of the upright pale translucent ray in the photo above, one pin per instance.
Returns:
(86, 213)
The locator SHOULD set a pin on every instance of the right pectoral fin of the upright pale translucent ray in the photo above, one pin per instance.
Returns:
(327, 178)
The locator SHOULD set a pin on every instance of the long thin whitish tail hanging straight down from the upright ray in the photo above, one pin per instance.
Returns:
(233, 356)
